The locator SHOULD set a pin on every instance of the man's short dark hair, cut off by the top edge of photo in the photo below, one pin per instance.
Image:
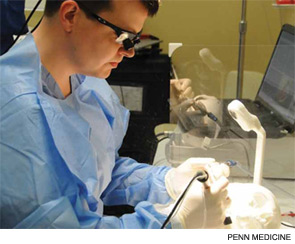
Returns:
(52, 6)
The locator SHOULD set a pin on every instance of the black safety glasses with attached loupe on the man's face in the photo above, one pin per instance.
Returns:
(127, 38)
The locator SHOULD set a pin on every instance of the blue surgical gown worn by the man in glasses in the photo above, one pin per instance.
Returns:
(59, 157)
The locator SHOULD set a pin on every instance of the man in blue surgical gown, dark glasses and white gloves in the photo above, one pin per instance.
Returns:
(61, 129)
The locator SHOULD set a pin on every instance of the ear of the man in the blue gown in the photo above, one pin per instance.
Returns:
(68, 13)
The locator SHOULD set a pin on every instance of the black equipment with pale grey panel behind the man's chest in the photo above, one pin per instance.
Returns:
(142, 84)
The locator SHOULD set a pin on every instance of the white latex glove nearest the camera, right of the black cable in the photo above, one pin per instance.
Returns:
(204, 208)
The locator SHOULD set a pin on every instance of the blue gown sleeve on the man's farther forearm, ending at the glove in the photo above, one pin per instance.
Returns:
(133, 182)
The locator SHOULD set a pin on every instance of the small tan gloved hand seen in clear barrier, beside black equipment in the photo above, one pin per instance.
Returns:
(179, 90)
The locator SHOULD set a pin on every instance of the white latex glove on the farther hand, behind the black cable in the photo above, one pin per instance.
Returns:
(178, 178)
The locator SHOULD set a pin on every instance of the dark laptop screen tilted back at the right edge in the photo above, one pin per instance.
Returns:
(277, 89)
